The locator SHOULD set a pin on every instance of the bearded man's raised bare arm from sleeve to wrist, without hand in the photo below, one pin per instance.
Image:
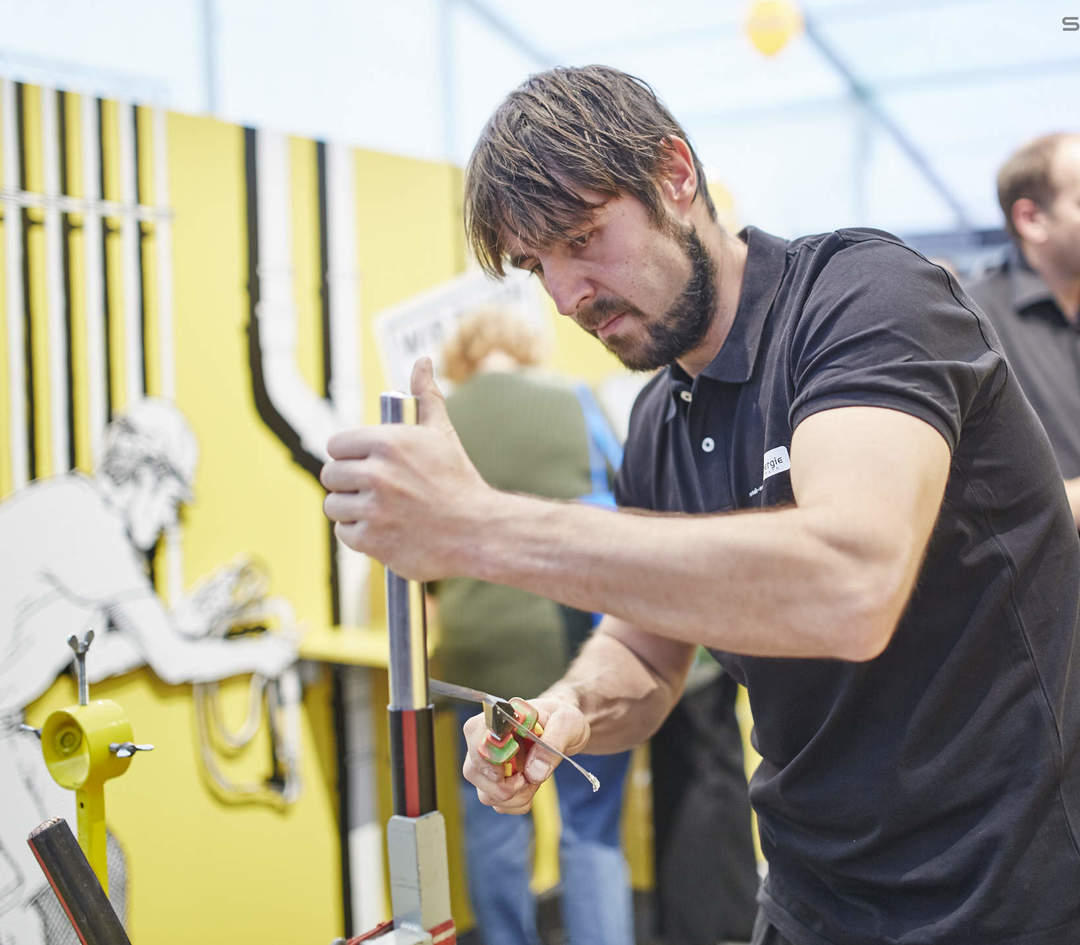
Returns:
(827, 578)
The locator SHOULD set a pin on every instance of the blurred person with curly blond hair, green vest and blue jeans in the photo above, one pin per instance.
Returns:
(528, 433)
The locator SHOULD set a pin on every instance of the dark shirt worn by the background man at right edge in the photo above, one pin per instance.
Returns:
(1042, 346)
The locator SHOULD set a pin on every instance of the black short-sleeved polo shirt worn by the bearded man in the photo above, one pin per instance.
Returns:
(933, 794)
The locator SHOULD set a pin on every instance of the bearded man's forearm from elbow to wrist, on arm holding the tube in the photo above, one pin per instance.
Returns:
(782, 589)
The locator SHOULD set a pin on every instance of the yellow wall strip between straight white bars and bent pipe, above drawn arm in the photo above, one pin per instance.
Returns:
(240, 458)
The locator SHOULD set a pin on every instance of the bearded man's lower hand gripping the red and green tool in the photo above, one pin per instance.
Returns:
(565, 728)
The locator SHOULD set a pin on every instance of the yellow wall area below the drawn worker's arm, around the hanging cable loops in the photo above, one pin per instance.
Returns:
(206, 872)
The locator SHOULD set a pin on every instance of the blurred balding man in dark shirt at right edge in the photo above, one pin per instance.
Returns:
(1033, 296)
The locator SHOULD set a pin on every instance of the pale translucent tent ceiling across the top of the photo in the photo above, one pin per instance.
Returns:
(885, 113)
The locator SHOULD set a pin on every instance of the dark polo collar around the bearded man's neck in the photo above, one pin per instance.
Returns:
(766, 260)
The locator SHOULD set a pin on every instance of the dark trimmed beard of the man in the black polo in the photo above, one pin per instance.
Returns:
(684, 326)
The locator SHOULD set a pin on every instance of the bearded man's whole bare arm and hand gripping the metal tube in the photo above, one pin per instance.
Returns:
(828, 577)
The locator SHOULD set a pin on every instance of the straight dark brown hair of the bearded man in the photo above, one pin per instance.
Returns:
(562, 132)
